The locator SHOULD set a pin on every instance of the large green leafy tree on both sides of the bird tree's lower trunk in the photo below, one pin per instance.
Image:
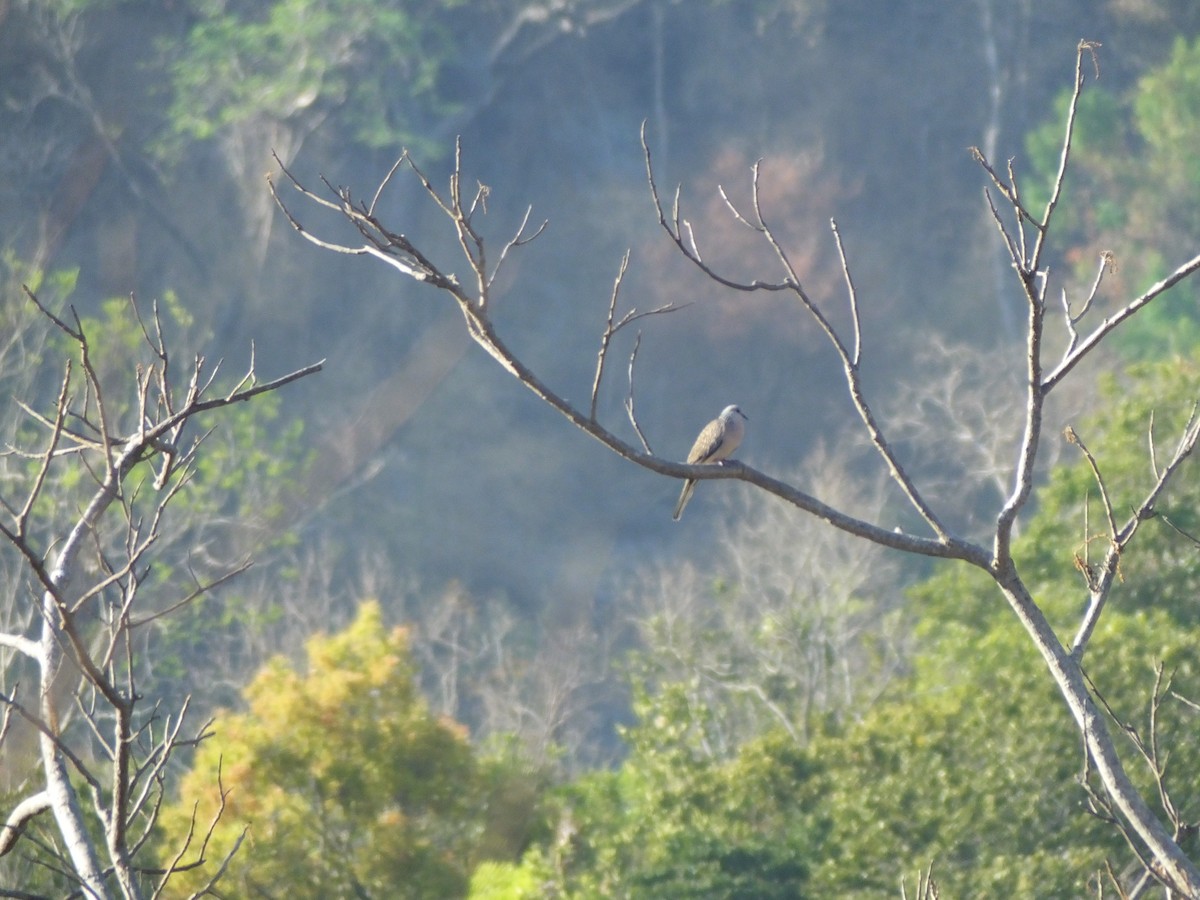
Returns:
(973, 761)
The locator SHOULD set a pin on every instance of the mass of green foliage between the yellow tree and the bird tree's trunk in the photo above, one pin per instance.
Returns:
(970, 763)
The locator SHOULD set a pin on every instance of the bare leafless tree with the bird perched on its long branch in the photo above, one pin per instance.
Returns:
(1025, 236)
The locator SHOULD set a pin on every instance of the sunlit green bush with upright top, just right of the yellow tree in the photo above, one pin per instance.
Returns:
(676, 823)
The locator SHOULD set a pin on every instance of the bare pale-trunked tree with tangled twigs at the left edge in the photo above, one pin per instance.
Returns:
(89, 596)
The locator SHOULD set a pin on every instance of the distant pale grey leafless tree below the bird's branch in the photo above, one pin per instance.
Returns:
(776, 628)
